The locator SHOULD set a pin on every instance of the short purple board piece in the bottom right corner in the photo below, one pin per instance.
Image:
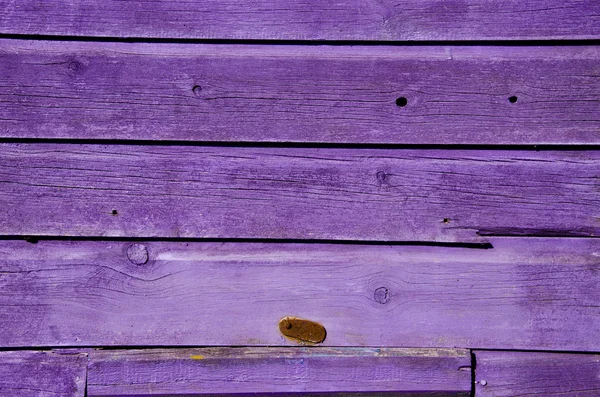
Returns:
(516, 374)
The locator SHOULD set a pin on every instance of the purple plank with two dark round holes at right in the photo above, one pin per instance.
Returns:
(454, 95)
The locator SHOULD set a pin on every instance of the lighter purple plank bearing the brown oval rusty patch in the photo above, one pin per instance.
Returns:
(525, 293)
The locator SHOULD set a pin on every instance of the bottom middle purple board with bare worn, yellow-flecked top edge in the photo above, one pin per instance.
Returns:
(289, 371)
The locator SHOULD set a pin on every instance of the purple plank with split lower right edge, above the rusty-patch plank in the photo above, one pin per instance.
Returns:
(296, 193)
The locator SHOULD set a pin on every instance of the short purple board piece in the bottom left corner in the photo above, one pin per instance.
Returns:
(42, 373)
